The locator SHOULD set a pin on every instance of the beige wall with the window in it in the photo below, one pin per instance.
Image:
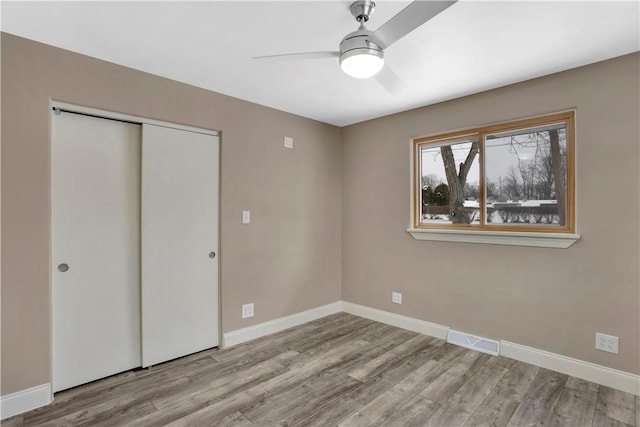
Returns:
(551, 299)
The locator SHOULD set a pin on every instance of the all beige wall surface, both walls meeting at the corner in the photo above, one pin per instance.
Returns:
(329, 216)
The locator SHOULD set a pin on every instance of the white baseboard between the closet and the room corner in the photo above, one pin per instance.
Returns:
(276, 325)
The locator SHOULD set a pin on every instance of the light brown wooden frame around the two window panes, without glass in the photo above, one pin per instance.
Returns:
(566, 117)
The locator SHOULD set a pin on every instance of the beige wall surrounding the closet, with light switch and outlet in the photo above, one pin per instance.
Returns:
(287, 260)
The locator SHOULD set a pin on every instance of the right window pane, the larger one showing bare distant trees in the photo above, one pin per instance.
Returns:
(525, 176)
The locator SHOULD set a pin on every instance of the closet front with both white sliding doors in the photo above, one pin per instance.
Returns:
(134, 225)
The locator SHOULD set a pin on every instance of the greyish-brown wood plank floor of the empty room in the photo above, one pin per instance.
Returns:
(340, 370)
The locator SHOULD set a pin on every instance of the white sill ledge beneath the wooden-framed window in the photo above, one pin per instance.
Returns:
(511, 238)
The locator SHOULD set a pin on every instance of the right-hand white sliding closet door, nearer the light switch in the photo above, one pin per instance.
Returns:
(179, 243)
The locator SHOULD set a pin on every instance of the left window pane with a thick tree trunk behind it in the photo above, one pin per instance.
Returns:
(450, 183)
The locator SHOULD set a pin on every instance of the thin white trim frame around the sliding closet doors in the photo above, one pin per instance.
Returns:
(74, 108)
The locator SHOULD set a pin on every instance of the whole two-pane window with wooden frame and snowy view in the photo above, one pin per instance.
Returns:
(509, 179)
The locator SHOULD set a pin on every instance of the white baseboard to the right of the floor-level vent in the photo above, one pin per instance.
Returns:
(598, 374)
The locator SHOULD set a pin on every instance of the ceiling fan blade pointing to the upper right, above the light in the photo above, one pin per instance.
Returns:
(407, 20)
